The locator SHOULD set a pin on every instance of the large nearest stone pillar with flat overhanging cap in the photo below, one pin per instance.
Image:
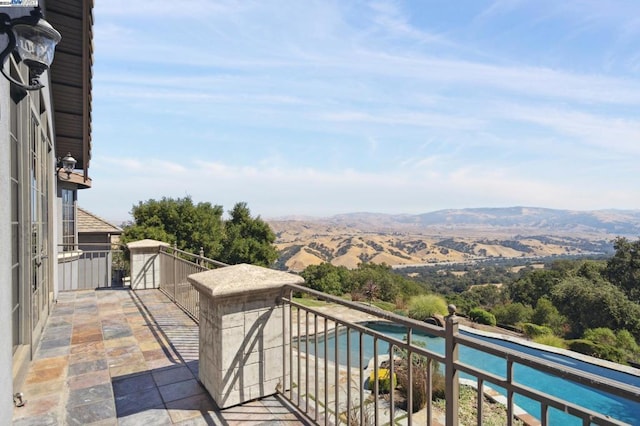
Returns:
(243, 331)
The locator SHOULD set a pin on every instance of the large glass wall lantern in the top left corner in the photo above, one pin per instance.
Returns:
(34, 40)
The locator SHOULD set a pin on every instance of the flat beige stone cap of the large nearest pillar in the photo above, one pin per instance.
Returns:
(241, 279)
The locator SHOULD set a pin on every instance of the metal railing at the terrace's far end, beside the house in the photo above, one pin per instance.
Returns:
(91, 265)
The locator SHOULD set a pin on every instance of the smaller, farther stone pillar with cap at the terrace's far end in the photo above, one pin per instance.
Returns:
(145, 264)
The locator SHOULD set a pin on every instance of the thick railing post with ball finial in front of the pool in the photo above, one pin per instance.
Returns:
(452, 384)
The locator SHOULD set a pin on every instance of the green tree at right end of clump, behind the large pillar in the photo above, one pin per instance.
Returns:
(247, 239)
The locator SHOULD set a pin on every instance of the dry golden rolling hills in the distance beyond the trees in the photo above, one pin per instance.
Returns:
(302, 243)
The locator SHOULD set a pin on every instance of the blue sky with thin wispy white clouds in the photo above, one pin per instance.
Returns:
(326, 107)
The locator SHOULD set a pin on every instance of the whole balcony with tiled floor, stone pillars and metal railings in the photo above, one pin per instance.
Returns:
(133, 354)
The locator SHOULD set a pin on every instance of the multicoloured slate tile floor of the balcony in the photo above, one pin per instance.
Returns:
(118, 357)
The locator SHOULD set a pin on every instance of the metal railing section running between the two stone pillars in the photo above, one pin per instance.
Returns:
(175, 266)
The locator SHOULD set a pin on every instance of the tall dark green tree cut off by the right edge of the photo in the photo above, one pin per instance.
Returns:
(623, 269)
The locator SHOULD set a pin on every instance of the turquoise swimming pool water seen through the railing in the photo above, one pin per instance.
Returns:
(619, 408)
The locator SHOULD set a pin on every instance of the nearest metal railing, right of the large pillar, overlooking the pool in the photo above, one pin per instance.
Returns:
(327, 382)
